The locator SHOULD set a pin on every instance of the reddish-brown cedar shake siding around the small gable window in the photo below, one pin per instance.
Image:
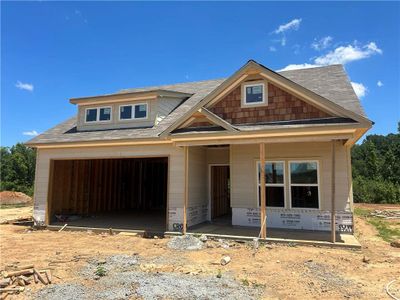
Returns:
(282, 106)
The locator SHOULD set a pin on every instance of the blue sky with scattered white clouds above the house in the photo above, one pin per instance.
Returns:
(53, 51)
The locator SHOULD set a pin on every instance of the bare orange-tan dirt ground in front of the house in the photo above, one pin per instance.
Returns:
(281, 271)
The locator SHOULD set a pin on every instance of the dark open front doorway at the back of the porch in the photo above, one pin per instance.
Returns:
(221, 210)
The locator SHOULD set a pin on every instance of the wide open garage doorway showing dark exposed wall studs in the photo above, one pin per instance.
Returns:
(125, 193)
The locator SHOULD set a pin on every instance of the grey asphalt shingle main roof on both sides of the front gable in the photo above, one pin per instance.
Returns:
(330, 82)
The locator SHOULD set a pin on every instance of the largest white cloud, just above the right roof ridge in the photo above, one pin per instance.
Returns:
(349, 53)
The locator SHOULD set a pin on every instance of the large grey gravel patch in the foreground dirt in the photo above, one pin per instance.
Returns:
(124, 280)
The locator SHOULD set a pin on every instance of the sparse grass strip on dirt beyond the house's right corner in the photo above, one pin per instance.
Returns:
(383, 226)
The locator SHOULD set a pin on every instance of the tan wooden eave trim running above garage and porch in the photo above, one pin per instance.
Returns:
(349, 133)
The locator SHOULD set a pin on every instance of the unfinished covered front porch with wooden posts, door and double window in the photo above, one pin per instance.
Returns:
(241, 208)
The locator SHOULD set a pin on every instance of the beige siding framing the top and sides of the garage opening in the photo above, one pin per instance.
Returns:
(176, 160)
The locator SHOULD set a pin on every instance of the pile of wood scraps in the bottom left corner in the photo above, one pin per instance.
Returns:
(17, 277)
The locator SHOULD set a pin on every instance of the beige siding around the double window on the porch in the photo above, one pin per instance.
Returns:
(244, 180)
